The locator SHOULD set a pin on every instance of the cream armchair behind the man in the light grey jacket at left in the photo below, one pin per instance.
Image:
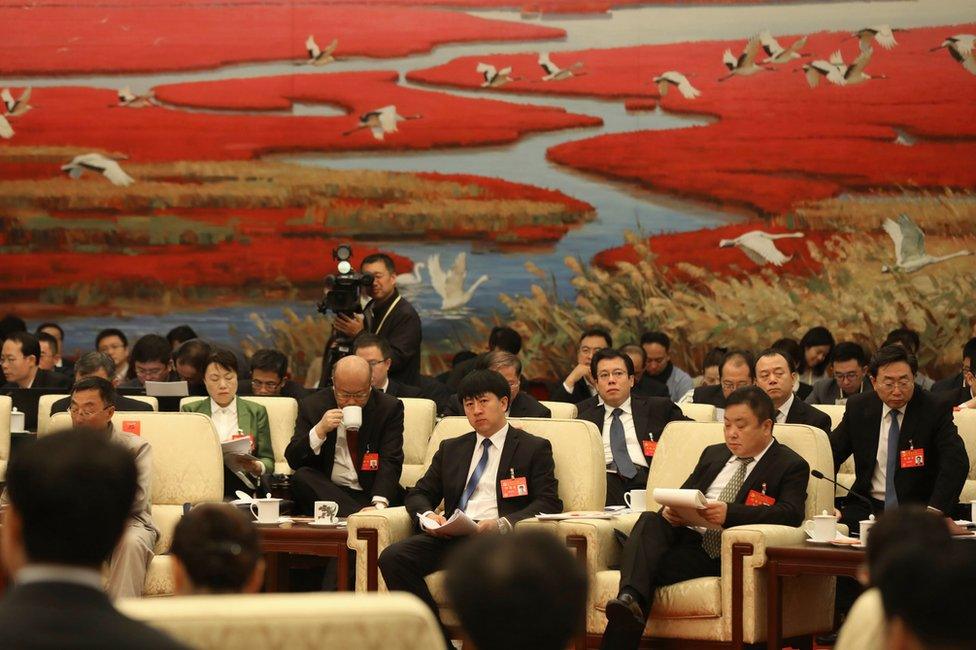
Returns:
(188, 467)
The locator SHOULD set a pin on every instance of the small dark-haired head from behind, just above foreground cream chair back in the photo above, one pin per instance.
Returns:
(216, 550)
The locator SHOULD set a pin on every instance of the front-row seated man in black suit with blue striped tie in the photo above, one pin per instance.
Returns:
(498, 475)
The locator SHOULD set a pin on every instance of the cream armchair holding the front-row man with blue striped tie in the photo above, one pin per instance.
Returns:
(577, 450)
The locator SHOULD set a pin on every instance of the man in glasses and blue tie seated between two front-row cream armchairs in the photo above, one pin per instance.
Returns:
(631, 424)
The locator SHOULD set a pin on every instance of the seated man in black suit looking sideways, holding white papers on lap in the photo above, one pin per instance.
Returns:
(663, 549)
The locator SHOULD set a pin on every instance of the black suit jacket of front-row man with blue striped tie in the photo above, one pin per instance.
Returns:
(527, 455)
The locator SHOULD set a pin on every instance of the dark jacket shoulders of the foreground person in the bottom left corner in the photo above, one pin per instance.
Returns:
(57, 615)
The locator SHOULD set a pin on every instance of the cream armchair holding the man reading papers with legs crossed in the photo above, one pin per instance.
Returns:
(729, 609)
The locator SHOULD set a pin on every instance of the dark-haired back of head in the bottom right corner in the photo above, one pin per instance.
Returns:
(928, 596)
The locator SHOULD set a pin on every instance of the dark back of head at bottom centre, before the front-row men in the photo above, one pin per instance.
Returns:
(496, 587)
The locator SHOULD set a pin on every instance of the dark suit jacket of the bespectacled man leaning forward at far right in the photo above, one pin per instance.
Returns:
(927, 424)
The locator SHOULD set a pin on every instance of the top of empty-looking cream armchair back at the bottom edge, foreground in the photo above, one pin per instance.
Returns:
(292, 621)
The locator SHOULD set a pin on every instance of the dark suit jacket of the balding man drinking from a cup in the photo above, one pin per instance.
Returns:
(382, 433)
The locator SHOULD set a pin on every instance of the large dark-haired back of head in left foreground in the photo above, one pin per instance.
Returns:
(72, 493)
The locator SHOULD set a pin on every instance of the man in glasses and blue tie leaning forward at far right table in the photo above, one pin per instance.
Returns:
(905, 444)
